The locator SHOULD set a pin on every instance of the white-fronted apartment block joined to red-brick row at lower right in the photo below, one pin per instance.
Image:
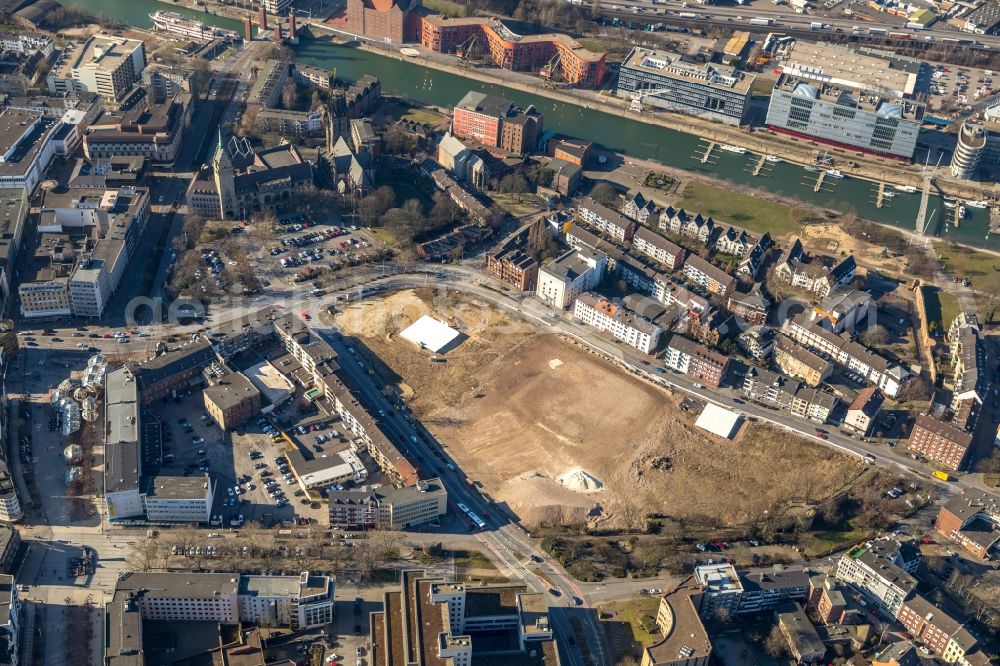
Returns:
(881, 570)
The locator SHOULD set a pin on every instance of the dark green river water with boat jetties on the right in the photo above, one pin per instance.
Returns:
(633, 138)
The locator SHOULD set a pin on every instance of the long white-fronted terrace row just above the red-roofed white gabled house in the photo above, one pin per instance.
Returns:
(842, 350)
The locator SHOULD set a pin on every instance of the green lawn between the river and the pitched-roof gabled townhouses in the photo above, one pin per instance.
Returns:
(739, 209)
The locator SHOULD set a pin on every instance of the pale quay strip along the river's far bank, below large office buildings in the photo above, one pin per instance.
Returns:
(760, 141)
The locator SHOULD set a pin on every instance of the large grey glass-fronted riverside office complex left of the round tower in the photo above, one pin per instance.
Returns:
(841, 97)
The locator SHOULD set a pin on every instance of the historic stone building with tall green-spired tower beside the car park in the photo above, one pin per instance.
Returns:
(240, 181)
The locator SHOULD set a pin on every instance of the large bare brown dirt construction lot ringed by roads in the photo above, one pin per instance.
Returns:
(559, 433)
